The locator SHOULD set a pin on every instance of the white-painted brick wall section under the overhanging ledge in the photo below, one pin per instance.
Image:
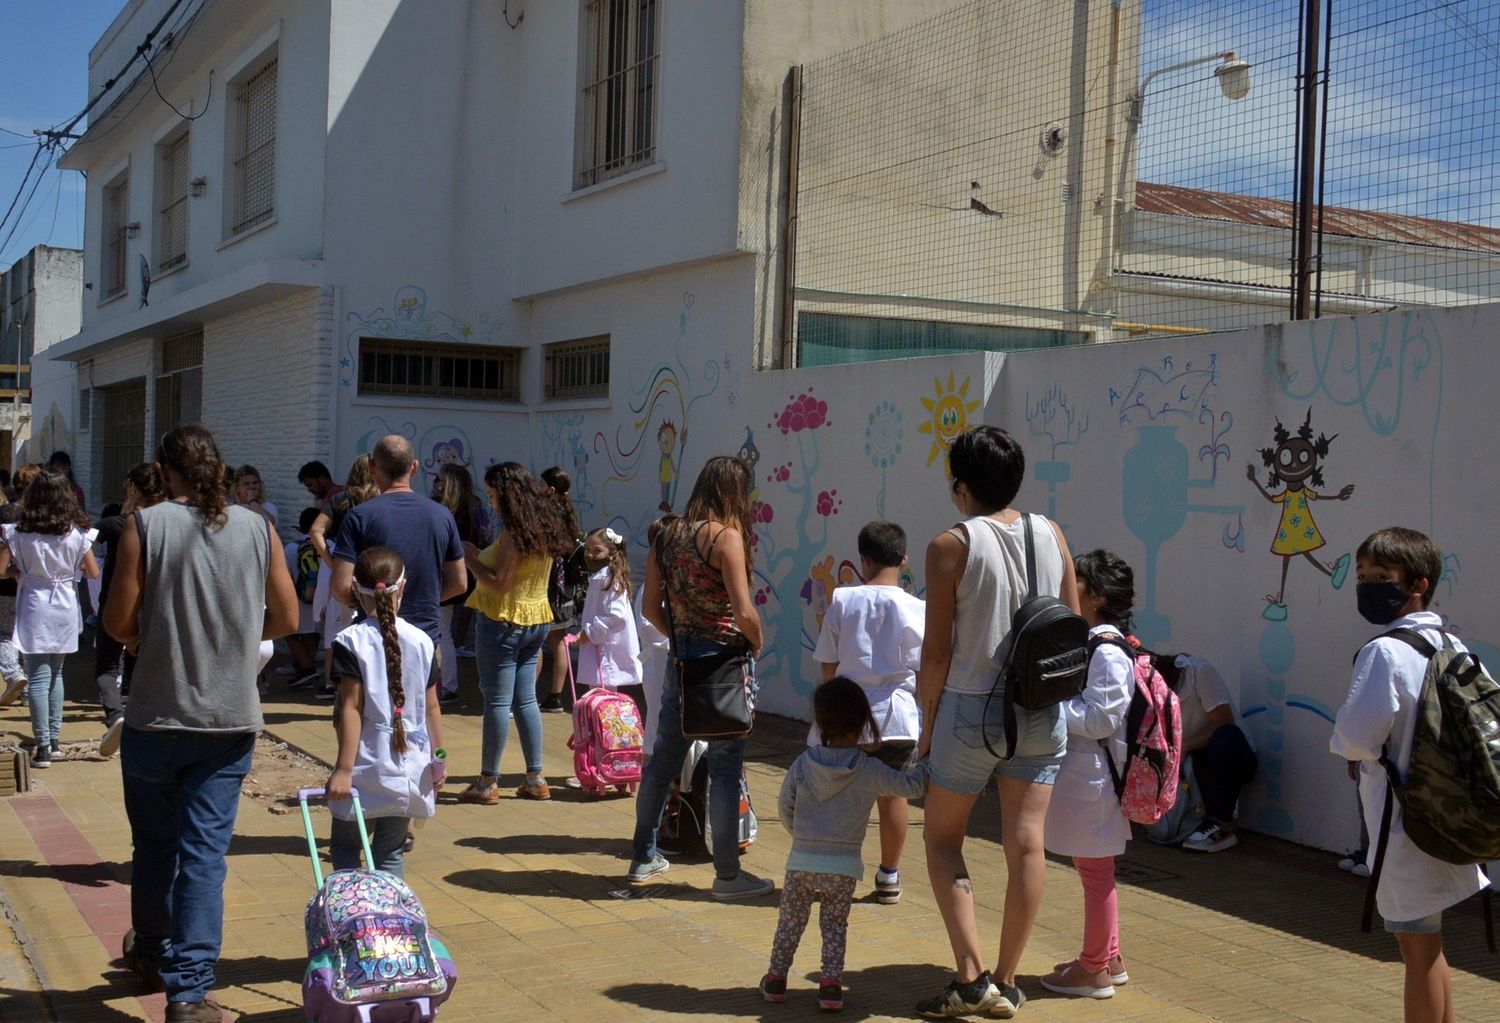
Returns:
(268, 391)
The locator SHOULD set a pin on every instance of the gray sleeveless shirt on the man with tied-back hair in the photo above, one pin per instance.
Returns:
(202, 617)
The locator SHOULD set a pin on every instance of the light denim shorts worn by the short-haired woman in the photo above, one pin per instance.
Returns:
(962, 764)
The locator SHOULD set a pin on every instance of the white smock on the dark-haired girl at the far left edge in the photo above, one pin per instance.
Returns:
(47, 619)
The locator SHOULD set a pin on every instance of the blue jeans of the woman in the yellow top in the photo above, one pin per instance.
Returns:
(506, 656)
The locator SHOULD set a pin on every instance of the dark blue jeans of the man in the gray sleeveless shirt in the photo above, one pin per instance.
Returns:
(182, 791)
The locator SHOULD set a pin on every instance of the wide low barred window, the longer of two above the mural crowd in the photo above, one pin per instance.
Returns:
(425, 370)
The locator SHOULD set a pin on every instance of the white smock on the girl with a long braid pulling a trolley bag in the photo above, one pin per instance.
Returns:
(391, 787)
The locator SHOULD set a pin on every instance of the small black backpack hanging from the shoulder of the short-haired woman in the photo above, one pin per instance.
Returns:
(1048, 661)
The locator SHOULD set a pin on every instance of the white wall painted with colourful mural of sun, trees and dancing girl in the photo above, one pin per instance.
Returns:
(1159, 451)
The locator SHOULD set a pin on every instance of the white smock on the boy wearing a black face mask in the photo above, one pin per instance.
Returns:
(1378, 713)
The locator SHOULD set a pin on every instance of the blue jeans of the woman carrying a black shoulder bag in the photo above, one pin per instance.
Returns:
(727, 761)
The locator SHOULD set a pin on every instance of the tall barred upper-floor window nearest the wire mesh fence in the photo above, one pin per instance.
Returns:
(622, 58)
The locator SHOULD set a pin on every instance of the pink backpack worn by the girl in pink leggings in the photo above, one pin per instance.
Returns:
(1148, 784)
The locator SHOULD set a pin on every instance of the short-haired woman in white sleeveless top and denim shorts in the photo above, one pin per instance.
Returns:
(976, 581)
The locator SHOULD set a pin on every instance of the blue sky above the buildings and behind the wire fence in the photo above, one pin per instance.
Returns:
(1415, 112)
